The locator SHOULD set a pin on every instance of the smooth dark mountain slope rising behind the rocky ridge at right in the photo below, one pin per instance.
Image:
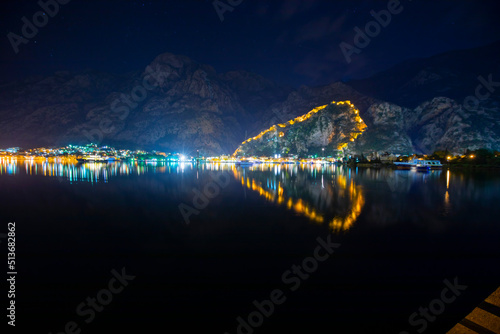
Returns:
(452, 74)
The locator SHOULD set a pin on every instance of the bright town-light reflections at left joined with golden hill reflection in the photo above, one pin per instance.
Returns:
(295, 187)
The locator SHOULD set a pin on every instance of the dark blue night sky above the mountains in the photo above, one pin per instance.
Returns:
(294, 41)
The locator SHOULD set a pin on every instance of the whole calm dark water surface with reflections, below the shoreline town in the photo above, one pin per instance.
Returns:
(401, 234)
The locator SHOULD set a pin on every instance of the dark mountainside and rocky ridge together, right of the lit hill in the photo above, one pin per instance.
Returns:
(449, 102)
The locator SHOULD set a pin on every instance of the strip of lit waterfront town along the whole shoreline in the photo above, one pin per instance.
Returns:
(95, 153)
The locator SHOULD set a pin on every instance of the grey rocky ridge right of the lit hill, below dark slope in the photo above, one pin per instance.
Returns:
(438, 124)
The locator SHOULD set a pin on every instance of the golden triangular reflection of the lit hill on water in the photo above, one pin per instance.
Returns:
(302, 189)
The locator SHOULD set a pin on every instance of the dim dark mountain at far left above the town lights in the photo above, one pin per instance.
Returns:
(41, 110)
